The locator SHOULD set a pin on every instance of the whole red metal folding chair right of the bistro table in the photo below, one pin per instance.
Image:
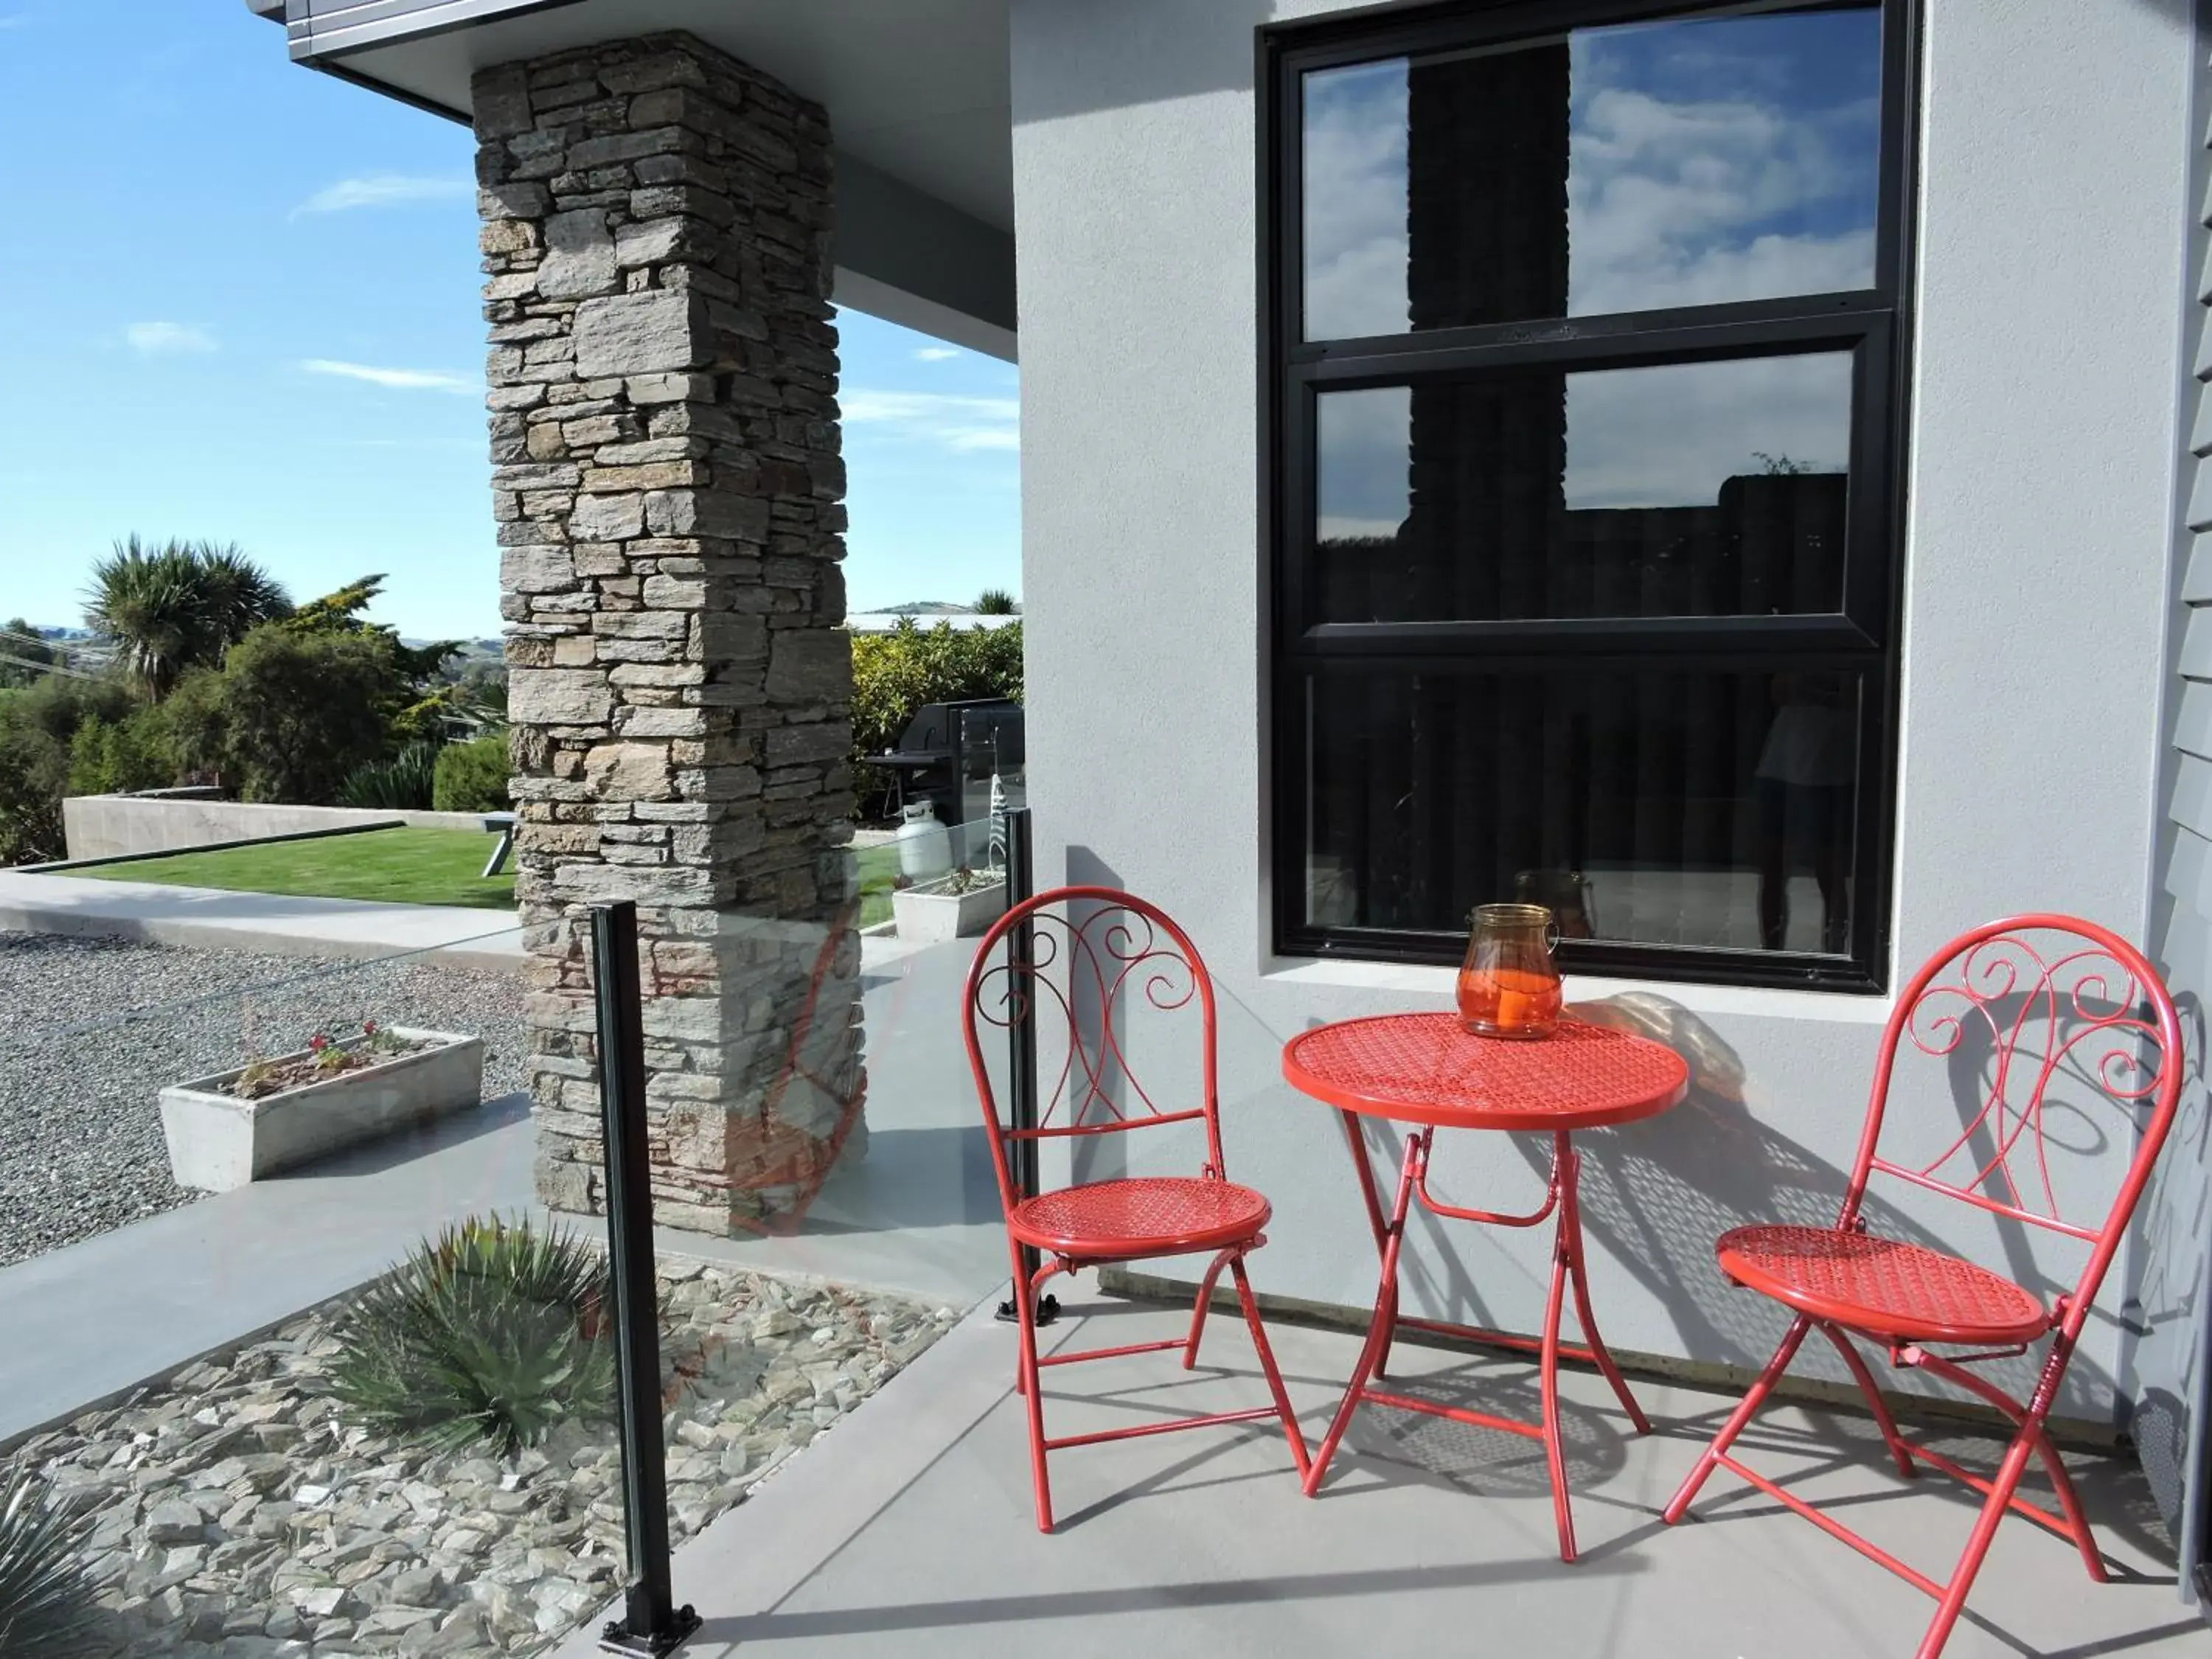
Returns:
(2043, 1005)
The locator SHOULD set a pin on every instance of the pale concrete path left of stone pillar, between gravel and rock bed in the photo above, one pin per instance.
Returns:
(101, 1317)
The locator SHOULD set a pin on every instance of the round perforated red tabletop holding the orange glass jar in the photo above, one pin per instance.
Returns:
(1432, 1070)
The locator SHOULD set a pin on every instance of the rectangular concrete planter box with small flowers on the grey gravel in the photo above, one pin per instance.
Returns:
(220, 1142)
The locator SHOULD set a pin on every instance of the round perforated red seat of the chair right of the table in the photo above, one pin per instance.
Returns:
(1881, 1286)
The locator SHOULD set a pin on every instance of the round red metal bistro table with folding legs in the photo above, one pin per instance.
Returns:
(1428, 1070)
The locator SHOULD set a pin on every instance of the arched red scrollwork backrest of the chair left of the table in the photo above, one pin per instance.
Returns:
(1078, 961)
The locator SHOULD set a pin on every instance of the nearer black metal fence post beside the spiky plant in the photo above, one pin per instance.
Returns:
(651, 1623)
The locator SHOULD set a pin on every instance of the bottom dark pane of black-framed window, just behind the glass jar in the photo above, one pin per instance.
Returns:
(1658, 808)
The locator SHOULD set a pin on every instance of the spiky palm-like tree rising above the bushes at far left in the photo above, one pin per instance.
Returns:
(178, 605)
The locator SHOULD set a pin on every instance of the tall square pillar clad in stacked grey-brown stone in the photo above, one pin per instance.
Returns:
(656, 231)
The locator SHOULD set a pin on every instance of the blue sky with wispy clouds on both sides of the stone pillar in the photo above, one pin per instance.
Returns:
(242, 304)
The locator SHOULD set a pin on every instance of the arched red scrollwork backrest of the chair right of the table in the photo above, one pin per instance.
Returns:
(2034, 1003)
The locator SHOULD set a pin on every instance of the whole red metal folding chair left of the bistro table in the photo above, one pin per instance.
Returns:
(1085, 957)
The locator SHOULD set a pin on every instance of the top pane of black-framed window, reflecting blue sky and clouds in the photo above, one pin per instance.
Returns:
(1623, 169)
